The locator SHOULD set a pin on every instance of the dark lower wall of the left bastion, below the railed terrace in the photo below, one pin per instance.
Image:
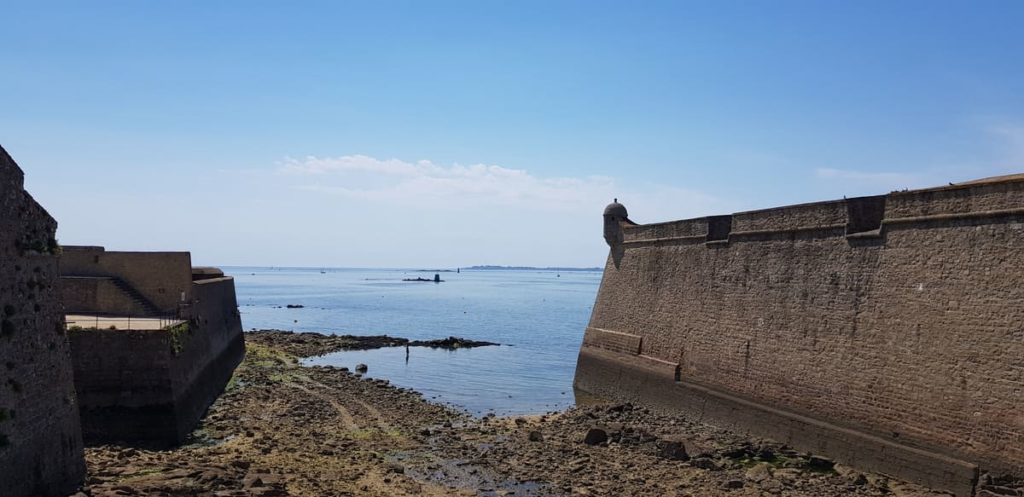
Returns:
(155, 386)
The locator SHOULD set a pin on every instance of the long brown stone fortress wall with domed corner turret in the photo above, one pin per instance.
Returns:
(887, 333)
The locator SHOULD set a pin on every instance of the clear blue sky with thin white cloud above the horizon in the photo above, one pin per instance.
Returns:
(454, 134)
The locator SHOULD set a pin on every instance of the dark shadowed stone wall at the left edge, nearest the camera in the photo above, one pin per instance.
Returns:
(40, 438)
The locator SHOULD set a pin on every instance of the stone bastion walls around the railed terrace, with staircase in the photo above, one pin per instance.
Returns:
(150, 385)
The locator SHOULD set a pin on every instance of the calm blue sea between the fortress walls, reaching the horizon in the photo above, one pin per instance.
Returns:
(538, 316)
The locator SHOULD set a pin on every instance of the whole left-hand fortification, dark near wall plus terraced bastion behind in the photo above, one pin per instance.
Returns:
(170, 340)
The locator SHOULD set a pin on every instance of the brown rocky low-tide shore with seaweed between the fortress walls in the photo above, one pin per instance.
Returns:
(282, 429)
